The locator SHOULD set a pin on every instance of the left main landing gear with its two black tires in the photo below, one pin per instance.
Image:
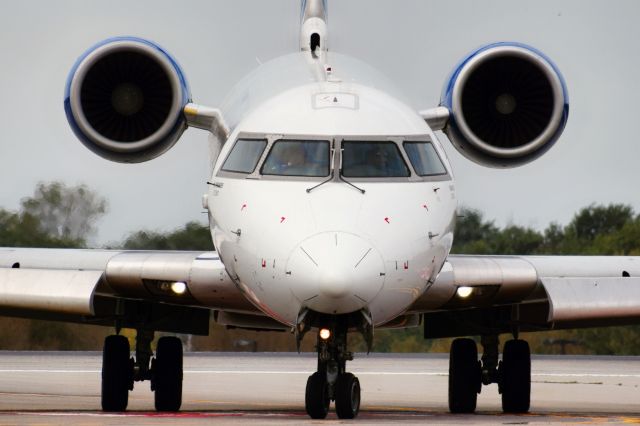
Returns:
(120, 371)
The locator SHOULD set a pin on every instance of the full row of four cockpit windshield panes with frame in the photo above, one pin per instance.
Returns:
(280, 158)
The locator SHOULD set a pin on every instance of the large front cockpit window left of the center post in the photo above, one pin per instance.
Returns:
(298, 158)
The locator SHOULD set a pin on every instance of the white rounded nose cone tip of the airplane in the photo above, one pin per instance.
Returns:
(335, 272)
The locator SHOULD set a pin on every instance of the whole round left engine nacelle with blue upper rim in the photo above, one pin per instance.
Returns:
(124, 99)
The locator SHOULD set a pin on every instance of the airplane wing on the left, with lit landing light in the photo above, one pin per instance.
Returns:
(98, 286)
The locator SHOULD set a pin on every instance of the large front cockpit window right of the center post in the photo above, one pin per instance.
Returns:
(372, 159)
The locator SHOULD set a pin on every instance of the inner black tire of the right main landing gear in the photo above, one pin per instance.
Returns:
(464, 376)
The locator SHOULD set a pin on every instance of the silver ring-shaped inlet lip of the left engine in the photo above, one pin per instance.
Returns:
(76, 101)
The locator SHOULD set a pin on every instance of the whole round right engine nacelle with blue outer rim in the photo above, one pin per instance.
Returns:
(508, 104)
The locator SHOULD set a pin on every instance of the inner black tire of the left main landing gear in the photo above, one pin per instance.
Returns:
(167, 374)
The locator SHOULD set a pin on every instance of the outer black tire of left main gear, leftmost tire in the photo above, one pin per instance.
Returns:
(117, 373)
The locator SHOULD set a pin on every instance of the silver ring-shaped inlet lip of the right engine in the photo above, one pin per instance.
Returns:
(558, 104)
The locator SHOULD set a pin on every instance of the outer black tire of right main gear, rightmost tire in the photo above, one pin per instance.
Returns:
(515, 377)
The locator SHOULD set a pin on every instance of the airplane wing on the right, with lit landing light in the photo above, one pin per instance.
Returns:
(530, 293)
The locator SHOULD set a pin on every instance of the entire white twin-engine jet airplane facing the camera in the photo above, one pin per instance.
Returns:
(332, 207)
